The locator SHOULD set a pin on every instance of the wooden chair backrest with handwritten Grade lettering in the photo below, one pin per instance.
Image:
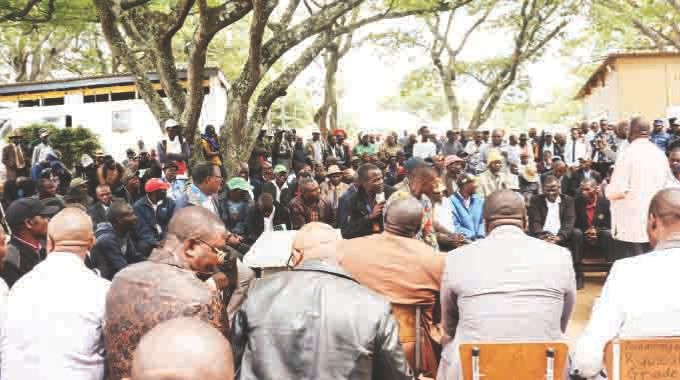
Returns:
(643, 358)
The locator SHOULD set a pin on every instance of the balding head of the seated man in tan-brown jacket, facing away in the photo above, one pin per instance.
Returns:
(403, 216)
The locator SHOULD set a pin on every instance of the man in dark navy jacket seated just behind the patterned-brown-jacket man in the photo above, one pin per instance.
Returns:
(115, 248)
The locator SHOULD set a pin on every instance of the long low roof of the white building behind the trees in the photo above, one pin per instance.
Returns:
(85, 82)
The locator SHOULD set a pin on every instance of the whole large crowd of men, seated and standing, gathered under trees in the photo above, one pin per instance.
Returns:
(108, 268)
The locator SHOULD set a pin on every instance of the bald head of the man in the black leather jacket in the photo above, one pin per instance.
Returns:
(316, 241)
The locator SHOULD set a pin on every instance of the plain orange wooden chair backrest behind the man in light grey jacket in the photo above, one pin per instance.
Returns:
(514, 361)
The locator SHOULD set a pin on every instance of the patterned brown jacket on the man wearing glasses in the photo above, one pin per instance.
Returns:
(145, 294)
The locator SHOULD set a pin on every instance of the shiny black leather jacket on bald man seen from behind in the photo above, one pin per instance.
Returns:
(354, 337)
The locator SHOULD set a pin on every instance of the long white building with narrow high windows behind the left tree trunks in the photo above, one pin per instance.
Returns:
(108, 105)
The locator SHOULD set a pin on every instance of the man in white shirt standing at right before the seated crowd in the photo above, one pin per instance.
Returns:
(640, 173)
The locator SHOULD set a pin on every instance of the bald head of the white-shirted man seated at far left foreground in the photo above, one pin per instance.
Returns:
(70, 230)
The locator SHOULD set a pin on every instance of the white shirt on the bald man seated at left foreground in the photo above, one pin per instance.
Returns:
(54, 321)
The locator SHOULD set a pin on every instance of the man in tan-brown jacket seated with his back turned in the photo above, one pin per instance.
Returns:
(402, 269)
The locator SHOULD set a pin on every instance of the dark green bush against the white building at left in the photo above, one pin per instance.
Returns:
(71, 142)
